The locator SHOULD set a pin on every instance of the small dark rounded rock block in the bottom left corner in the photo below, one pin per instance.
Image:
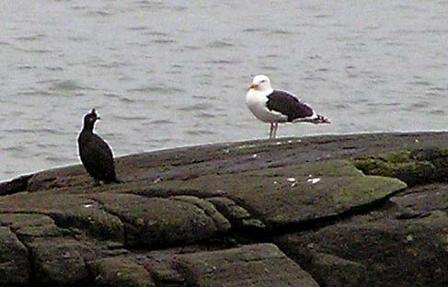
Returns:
(14, 266)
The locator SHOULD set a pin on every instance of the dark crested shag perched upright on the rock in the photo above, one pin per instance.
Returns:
(95, 153)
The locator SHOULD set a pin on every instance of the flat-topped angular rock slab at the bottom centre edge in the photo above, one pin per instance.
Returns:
(256, 265)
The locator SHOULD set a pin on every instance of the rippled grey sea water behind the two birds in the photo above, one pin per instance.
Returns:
(173, 73)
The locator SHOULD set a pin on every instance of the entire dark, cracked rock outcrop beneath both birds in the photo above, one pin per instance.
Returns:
(357, 210)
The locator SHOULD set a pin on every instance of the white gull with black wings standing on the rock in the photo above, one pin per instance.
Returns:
(277, 106)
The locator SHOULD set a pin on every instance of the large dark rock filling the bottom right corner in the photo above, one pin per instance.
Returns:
(393, 252)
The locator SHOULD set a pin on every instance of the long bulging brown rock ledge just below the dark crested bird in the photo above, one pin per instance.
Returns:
(127, 218)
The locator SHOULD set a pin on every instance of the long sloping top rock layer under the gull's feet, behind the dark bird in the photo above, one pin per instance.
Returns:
(185, 163)
